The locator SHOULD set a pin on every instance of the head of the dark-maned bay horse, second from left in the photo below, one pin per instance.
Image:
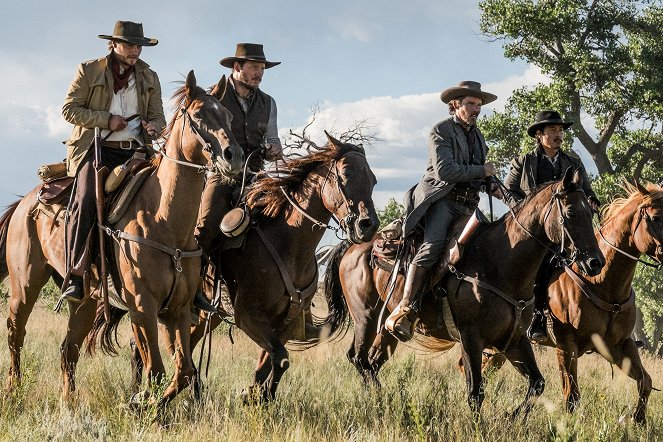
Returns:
(351, 199)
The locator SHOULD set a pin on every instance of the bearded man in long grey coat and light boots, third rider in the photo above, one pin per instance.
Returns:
(449, 189)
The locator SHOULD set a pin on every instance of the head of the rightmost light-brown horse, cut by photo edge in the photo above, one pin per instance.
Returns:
(648, 235)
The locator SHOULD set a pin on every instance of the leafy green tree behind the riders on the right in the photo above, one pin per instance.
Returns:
(604, 59)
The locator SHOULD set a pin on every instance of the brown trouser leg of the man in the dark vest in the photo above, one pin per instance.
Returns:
(216, 202)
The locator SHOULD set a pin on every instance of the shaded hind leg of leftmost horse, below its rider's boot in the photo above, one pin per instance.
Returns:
(81, 321)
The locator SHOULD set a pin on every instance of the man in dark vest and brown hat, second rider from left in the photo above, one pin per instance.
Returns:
(254, 126)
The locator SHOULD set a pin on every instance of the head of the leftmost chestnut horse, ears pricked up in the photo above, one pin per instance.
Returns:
(209, 126)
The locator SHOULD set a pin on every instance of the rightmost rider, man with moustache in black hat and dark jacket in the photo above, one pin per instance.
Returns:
(547, 162)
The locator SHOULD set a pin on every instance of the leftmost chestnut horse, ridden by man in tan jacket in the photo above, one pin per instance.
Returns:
(157, 261)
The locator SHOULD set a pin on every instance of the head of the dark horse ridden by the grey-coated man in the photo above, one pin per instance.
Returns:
(568, 222)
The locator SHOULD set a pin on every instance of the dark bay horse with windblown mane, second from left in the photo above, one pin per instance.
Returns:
(273, 276)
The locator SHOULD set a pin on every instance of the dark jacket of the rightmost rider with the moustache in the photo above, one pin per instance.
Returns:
(522, 178)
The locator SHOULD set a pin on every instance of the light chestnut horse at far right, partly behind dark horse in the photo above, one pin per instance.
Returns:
(598, 313)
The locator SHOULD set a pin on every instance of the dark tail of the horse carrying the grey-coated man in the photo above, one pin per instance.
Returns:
(337, 319)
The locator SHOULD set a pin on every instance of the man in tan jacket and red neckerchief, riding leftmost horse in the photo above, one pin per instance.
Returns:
(105, 93)
